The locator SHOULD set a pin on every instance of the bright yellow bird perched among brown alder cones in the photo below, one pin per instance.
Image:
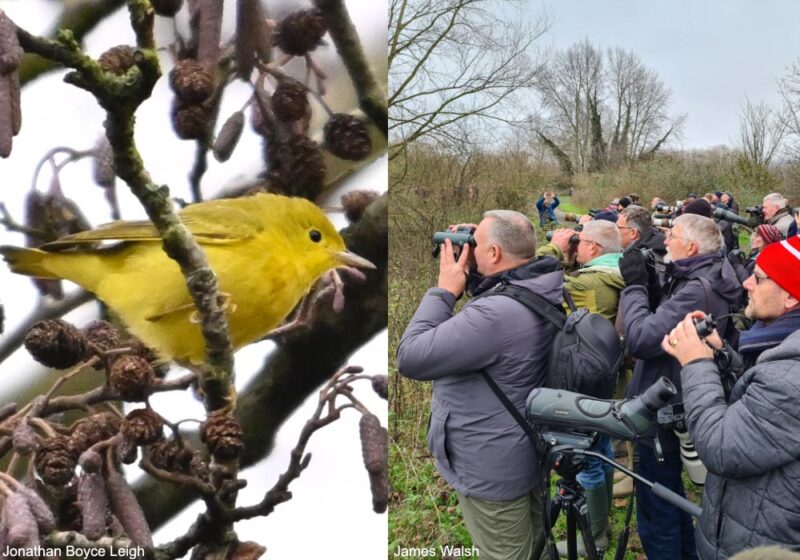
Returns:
(266, 250)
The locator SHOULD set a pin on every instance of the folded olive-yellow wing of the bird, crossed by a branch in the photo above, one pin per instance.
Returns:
(215, 222)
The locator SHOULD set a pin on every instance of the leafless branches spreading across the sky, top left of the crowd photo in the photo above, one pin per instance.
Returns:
(453, 60)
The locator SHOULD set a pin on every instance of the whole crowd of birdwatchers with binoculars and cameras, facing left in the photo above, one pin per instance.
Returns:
(654, 273)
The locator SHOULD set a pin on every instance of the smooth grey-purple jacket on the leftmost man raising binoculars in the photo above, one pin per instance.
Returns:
(479, 448)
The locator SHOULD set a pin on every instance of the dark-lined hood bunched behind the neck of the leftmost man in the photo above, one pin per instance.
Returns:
(543, 276)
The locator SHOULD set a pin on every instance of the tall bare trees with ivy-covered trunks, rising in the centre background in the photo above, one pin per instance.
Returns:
(602, 110)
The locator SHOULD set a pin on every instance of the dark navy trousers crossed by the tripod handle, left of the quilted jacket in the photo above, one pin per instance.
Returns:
(666, 531)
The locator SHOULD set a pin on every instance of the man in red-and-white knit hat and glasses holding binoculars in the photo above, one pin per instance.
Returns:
(748, 443)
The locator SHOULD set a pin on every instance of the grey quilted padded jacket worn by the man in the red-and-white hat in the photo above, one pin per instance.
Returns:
(751, 448)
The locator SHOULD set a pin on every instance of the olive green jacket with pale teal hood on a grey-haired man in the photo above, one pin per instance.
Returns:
(596, 285)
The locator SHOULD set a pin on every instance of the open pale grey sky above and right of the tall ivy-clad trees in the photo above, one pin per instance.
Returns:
(711, 53)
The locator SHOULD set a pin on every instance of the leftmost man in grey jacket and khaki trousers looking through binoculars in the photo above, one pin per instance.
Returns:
(477, 445)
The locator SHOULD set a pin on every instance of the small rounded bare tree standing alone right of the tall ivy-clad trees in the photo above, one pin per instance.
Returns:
(761, 132)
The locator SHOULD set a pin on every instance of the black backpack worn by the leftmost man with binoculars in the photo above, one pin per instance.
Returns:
(587, 352)
